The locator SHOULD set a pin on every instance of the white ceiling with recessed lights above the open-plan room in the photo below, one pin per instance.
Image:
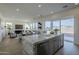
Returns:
(31, 10)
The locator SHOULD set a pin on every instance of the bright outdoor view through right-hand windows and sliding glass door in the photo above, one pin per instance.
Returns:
(65, 26)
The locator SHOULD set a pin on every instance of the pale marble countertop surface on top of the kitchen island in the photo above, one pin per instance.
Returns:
(38, 38)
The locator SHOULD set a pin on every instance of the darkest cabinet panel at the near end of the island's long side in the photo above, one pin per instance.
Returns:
(43, 48)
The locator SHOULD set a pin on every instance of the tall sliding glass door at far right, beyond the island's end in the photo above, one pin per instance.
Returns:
(67, 27)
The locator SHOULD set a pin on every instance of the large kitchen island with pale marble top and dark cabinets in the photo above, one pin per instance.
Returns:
(42, 44)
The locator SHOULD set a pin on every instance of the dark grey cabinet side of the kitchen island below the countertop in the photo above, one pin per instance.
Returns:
(50, 47)
